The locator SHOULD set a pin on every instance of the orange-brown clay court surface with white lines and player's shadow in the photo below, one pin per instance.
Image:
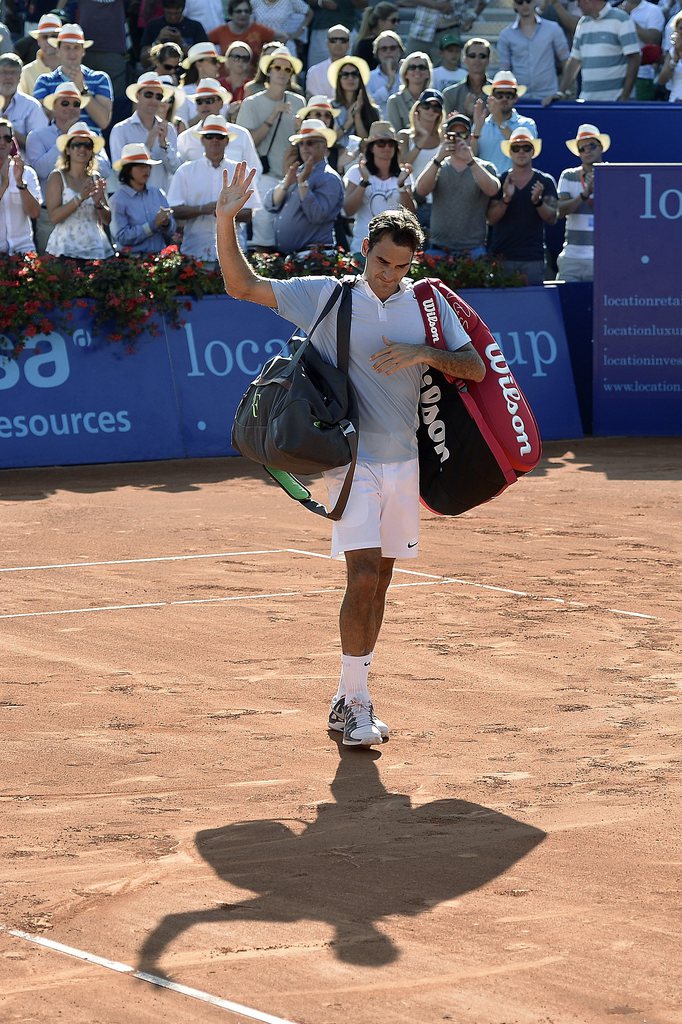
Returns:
(186, 837)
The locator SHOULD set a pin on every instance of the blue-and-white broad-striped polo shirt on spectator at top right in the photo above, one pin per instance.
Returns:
(603, 46)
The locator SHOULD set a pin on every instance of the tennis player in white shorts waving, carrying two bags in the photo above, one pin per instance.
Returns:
(389, 355)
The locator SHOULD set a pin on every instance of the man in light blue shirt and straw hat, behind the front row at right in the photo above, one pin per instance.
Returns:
(490, 132)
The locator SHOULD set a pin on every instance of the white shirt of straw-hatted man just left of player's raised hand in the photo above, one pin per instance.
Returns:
(194, 185)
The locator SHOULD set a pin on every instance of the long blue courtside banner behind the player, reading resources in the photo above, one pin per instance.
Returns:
(72, 399)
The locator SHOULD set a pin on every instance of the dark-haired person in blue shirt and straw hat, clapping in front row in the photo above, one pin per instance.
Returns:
(142, 220)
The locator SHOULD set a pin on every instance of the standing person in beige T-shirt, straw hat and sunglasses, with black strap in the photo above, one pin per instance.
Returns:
(271, 117)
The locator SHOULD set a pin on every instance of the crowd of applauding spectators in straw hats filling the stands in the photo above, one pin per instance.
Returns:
(119, 117)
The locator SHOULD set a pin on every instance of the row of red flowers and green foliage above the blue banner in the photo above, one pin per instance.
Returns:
(39, 293)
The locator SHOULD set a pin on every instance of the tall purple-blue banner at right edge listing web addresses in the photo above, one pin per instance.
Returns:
(638, 301)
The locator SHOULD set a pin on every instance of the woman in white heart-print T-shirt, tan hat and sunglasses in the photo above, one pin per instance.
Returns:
(377, 183)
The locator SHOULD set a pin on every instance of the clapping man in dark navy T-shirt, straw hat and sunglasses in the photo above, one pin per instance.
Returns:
(527, 201)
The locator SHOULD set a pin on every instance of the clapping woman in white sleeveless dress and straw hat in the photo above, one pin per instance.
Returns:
(76, 200)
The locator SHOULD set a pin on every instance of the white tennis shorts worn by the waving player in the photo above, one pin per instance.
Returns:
(382, 510)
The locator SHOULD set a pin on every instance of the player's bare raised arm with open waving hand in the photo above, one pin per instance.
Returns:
(240, 280)
